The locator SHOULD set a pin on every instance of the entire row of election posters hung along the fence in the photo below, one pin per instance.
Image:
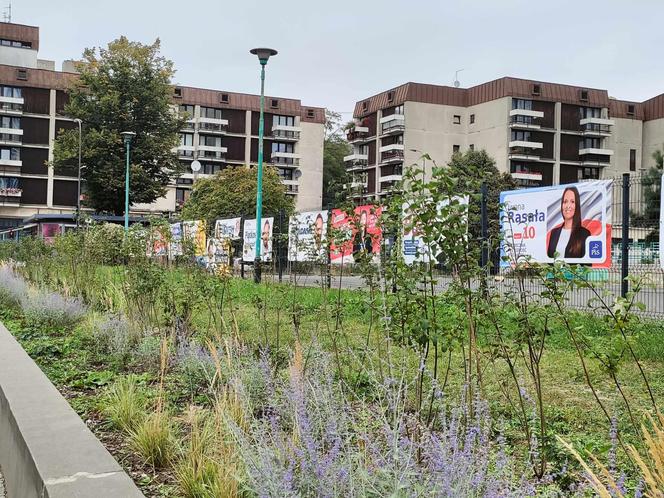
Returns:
(568, 222)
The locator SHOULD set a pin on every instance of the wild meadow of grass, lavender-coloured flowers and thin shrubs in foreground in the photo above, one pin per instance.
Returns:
(203, 384)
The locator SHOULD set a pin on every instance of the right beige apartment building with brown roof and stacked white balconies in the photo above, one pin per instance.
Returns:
(541, 133)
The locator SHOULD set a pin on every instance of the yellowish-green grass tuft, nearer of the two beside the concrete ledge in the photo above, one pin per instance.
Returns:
(153, 439)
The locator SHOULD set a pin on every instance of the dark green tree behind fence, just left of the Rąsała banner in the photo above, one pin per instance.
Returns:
(470, 170)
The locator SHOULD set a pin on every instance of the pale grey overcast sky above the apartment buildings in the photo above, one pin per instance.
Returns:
(333, 54)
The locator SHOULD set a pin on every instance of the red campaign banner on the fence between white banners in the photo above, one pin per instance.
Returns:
(360, 234)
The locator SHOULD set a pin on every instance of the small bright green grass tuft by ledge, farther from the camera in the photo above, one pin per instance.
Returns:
(124, 404)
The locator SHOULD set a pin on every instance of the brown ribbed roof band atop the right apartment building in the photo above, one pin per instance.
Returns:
(485, 92)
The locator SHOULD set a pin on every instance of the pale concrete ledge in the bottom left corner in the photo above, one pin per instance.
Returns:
(46, 451)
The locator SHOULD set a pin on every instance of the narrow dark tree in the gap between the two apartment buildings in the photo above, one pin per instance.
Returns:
(334, 170)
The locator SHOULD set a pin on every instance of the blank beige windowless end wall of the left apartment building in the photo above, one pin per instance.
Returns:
(310, 148)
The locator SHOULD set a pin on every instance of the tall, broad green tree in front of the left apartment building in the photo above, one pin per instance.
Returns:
(124, 87)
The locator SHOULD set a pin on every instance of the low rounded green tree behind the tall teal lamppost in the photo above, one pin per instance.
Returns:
(232, 192)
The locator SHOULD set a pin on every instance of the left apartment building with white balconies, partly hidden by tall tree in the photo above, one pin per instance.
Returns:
(221, 132)
